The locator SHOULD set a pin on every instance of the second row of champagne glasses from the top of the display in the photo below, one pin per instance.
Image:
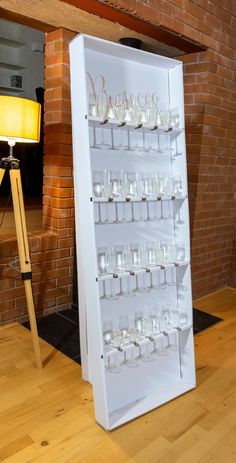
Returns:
(136, 186)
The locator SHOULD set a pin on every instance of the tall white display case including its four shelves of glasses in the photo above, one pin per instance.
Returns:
(152, 361)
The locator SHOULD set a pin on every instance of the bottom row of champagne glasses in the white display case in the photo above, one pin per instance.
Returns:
(143, 326)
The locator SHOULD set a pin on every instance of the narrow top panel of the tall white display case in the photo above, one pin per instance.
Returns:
(121, 51)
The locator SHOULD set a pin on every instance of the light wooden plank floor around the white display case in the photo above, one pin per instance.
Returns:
(47, 416)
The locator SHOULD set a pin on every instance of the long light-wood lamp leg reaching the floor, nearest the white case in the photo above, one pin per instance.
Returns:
(23, 249)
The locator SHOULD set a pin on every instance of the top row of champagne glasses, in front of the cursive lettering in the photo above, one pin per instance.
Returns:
(137, 110)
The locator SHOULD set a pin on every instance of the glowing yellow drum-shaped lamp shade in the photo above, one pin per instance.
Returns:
(19, 119)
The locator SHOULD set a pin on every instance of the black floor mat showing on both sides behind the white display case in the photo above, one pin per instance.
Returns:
(61, 329)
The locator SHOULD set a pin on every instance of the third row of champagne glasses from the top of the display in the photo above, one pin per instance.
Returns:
(130, 259)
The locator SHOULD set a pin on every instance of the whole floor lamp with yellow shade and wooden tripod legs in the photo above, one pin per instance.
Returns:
(20, 122)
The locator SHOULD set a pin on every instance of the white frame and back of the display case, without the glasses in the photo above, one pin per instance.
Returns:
(121, 397)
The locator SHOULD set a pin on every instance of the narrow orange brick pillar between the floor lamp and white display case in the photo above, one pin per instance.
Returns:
(58, 201)
